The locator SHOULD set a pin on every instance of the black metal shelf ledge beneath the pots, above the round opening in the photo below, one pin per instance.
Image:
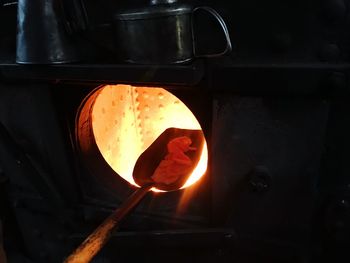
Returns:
(98, 73)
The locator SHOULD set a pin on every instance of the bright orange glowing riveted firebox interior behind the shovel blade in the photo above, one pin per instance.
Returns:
(126, 120)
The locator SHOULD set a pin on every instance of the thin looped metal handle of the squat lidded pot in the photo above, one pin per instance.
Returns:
(221, 21)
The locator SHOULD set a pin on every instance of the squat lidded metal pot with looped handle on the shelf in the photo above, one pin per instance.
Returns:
(161, 33)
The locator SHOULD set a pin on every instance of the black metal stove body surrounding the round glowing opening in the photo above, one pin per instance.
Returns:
(274, 113)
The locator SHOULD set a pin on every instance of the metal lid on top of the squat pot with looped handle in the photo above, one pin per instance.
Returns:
(153, 11)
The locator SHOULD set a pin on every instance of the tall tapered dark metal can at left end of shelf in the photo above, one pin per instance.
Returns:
(41, 34)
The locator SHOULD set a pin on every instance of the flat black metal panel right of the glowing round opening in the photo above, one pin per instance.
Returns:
(266, 158)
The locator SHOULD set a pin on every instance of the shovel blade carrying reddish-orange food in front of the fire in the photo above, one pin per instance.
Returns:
(170, 159)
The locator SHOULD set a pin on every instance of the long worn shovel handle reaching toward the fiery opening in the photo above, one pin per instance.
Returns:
(94, 243)
